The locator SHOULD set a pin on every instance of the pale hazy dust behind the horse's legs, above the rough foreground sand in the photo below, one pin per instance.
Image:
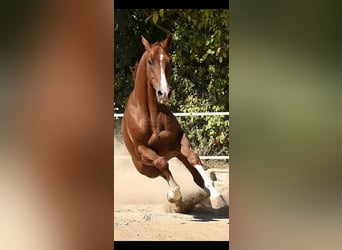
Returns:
(131, 187)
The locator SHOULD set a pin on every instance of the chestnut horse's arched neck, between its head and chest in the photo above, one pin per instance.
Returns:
(144, 92)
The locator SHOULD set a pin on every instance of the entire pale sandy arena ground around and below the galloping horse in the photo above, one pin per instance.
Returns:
(142, 212)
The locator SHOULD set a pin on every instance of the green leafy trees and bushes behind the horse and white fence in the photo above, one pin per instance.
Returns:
(200, 65)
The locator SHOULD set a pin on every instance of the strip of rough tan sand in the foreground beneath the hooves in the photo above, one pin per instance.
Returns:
(151, 222)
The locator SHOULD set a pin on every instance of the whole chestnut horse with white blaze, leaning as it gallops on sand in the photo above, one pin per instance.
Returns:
(152, 133)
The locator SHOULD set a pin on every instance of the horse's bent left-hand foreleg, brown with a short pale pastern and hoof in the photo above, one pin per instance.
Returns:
(151, 157)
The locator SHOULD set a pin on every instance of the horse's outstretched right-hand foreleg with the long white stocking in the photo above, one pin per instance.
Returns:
(192, 161)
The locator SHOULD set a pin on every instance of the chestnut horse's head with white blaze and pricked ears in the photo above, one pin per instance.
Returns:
(159, 67)
